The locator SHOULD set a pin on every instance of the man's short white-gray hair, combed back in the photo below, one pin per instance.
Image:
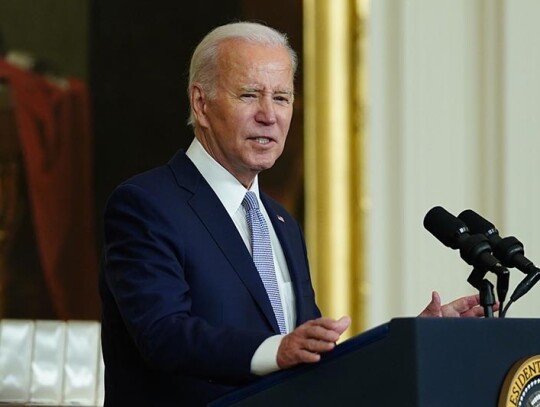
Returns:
(204, 60)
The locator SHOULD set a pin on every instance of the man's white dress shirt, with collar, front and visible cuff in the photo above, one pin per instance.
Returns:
(231, 193)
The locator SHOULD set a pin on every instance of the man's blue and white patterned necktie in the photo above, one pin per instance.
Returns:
(261, 250)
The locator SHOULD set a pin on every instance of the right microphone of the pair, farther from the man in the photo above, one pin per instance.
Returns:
(509, 249)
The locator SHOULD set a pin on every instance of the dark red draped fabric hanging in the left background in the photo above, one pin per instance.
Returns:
(53, 124)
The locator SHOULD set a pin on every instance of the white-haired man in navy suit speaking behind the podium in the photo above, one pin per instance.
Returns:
(186, 315)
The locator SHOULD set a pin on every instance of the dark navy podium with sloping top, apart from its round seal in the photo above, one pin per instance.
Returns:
(412, 362)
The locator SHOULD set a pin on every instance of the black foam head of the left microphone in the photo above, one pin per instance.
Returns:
(445, 226)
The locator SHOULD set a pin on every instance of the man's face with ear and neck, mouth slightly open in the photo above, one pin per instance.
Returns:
(244, 127)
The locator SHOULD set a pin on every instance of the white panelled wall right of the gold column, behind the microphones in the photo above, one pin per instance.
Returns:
(453, 120)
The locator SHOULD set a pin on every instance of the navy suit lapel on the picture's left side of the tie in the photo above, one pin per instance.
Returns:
(217, 221)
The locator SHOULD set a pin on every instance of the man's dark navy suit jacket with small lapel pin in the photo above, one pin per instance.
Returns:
(184, 308)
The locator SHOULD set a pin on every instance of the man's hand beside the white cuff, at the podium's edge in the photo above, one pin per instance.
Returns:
(309, 340)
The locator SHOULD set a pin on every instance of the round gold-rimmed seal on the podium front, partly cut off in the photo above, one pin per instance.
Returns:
(521, 387)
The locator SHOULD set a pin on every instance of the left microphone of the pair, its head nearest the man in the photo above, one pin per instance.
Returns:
(454, 233)
